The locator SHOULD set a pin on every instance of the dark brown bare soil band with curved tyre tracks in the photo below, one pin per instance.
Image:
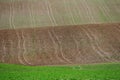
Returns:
(80, 44)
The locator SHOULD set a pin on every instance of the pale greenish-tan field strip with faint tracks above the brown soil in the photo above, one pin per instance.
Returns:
(44, 13)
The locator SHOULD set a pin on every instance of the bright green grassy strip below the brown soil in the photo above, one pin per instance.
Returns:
(83, 72)
